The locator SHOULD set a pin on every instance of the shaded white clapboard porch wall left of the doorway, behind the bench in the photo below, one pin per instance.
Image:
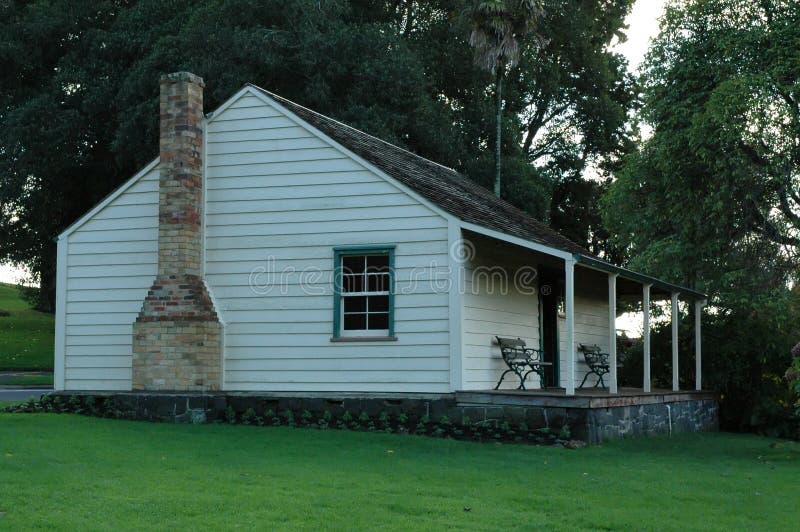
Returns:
(494, 306)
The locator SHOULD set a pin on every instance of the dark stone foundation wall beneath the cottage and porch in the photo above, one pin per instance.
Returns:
(592, 425)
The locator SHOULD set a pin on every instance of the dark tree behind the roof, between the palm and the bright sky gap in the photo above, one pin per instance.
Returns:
(564, 112)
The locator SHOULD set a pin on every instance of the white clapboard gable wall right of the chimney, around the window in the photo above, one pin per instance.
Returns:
(279, 199)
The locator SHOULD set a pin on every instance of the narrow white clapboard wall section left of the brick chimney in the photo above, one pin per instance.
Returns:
(111, 263)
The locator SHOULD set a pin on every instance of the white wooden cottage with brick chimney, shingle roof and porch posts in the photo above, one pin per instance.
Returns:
(327, 260)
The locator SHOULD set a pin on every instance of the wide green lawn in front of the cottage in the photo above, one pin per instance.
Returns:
(73, 473)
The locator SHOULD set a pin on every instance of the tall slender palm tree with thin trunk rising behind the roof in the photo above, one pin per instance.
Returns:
(497, 26)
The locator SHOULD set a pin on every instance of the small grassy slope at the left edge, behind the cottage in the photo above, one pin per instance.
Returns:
(26, 336)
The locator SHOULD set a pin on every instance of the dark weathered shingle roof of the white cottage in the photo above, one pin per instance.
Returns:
(443, 186)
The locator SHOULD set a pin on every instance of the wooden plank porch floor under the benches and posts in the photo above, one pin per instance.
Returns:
(583, 398)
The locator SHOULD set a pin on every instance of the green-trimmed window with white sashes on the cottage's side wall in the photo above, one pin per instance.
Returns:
(363, 291)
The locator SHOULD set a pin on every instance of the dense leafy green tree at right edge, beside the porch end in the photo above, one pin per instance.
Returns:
(710, 200)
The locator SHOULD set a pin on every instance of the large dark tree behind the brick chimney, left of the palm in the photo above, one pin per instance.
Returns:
(79, 91)
